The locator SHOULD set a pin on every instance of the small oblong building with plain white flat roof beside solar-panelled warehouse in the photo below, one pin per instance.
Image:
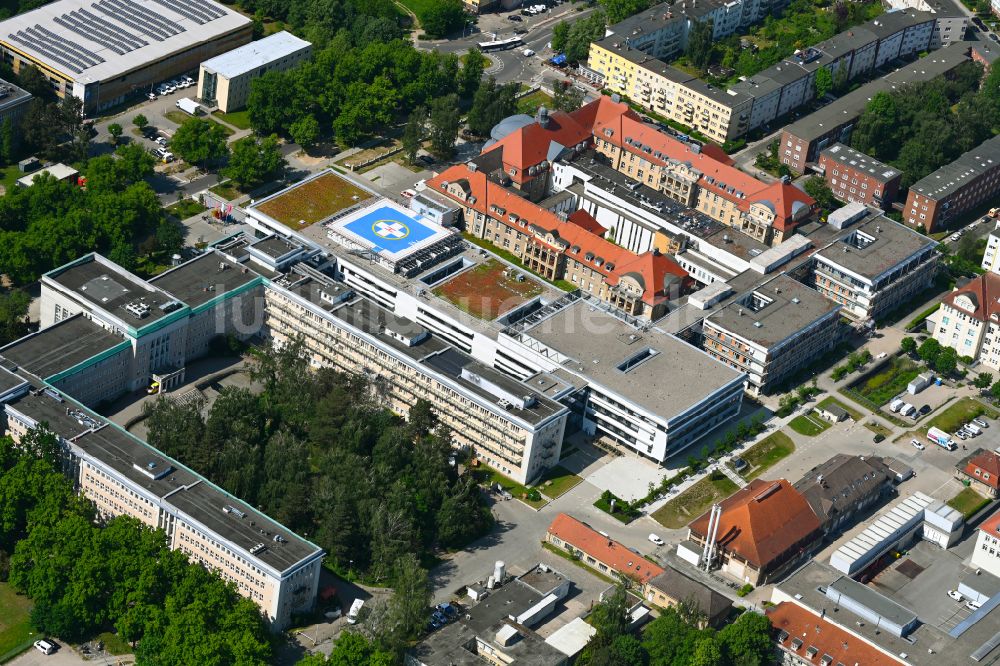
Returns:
(224, 81)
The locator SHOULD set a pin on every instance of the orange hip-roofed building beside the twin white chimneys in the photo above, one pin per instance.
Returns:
(762, 522)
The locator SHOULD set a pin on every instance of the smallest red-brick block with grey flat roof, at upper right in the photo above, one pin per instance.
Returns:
(855, 177)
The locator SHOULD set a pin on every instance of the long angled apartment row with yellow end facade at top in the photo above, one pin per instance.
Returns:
(629, 62)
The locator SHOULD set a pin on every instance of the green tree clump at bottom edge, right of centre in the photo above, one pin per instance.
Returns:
(675, 637)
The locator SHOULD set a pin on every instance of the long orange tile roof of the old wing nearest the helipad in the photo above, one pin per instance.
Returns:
(651, 267)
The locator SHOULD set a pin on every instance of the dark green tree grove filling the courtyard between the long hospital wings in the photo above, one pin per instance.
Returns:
(319, 452)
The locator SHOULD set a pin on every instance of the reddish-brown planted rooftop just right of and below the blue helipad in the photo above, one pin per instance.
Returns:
(488, 290)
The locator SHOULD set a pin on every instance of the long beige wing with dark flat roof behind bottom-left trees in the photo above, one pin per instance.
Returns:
(122, 475)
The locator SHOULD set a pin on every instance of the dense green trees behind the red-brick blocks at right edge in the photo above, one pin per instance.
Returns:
(921, 127)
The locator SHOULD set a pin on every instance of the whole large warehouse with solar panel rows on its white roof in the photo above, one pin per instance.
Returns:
(103, 54)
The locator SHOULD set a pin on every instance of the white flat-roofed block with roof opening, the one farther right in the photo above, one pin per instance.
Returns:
(875, 268)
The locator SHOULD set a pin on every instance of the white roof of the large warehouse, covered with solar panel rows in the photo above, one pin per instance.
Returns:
(97, 40)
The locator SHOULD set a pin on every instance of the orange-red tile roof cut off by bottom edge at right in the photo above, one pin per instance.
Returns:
(799, 624)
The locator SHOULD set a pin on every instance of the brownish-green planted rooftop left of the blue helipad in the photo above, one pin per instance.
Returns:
(312, 201)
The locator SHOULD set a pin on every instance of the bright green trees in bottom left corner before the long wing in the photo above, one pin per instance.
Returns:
(85, 575)
